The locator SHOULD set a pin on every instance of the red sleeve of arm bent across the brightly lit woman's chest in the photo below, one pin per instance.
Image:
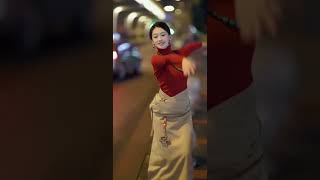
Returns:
(158, 61)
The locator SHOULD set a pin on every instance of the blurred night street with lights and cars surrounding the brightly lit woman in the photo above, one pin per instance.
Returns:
(134, 84)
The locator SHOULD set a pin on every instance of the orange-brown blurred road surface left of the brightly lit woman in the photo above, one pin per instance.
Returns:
(131, 122)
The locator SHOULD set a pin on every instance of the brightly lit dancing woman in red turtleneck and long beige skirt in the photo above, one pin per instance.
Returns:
(173, 139)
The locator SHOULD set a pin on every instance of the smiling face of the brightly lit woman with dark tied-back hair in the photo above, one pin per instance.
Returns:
(160, 38)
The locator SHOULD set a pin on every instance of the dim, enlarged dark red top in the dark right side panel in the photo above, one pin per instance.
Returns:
(229, 68)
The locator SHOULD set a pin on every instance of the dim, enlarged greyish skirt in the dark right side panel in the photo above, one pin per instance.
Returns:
(234, 145)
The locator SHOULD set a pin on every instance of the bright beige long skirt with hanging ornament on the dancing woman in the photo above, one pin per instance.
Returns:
(173, 138)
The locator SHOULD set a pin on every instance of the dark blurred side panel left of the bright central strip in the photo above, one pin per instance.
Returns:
(53, 97)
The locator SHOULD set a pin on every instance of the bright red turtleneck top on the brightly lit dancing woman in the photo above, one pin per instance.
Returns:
(165, 63)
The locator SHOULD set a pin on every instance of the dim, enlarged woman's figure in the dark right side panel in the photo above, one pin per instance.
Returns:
(234, 136)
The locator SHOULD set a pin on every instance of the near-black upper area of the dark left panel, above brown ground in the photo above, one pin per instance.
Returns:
(32, 27)
